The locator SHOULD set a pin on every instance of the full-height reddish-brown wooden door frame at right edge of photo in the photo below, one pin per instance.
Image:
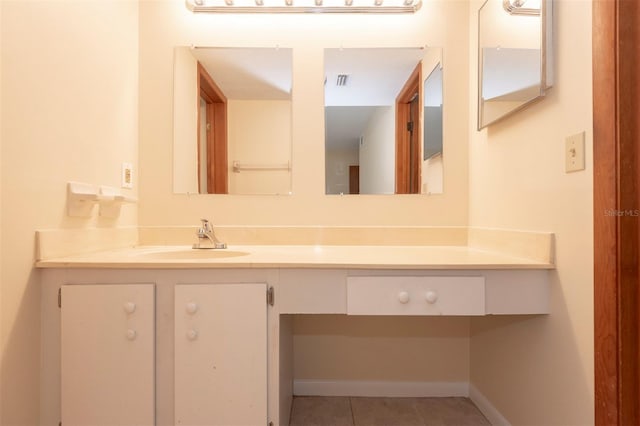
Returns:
(616, 133)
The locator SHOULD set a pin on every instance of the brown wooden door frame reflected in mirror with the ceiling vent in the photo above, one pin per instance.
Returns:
(403, 153)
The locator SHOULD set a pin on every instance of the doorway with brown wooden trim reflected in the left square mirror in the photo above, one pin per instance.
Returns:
(212, 136)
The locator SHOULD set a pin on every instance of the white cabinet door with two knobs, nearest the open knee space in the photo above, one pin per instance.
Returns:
(221, 354)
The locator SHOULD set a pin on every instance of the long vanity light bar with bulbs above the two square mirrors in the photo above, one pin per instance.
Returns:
(307, 6)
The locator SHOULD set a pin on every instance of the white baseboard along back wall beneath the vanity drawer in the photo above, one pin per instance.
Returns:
(378, 388)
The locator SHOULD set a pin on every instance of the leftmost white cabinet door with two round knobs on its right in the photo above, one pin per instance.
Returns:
(107, 355)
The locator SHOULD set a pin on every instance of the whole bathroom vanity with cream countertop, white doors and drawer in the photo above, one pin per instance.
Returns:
(168, 335)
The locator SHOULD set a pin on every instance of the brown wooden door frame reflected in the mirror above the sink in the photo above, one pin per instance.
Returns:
(217, 167)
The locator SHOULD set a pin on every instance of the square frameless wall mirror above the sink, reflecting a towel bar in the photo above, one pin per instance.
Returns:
(232, 120)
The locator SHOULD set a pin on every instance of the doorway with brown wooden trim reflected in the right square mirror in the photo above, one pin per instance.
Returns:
(408, 131)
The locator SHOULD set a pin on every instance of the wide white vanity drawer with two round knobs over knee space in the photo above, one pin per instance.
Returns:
(415, 296)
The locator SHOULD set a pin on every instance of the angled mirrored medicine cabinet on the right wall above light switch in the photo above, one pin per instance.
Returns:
(515, 57)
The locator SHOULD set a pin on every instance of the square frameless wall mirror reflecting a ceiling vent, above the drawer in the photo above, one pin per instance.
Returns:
(376, 136)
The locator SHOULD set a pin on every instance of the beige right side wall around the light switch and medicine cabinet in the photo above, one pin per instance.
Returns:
(539, 370)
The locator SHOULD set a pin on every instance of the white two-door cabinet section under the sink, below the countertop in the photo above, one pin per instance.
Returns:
(184, 348)
